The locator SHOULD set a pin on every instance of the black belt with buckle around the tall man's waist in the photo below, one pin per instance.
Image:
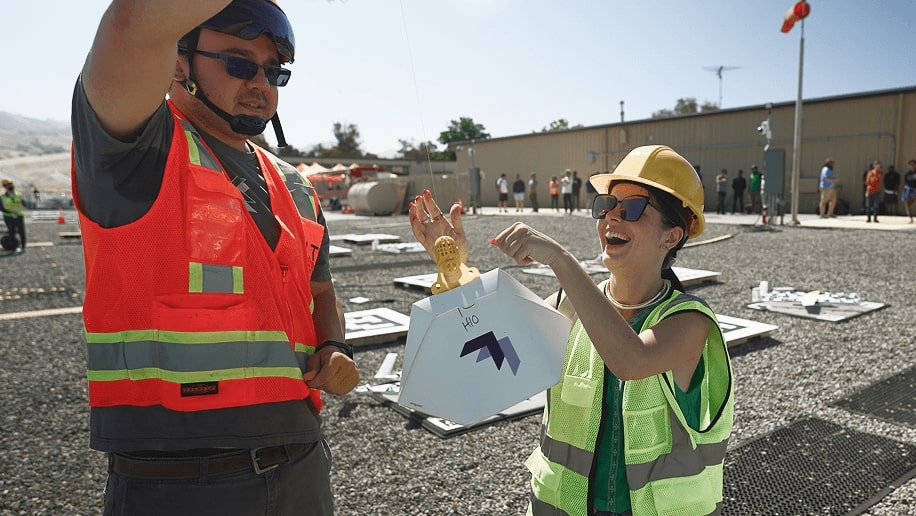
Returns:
(258, 460)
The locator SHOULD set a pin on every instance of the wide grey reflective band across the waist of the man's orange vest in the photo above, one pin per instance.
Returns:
(187, 357)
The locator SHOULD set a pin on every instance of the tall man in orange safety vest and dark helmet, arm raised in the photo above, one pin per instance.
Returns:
(211, 320)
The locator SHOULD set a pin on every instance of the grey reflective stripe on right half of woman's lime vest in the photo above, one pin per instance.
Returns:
(687, 461)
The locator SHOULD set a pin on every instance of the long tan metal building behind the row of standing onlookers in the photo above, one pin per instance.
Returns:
(853, 130)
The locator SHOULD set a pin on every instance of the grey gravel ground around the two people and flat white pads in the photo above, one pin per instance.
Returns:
(387, 465)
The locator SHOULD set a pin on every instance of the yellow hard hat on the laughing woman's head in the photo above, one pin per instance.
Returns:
(660, 167)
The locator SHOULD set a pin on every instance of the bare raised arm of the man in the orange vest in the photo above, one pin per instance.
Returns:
(132, 61)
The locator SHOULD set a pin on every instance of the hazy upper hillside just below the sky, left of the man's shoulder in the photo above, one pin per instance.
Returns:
(24, 136)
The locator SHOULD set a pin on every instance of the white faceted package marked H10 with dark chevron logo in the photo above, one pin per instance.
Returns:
(480, 348)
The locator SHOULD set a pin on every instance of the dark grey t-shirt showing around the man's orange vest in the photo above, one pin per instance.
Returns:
(117, 183)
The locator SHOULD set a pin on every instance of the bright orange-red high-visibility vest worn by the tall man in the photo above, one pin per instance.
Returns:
(188, 307)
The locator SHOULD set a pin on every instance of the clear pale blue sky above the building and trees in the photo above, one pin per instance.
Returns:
(403, 69)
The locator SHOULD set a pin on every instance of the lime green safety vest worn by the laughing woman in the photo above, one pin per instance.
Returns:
(671, 468)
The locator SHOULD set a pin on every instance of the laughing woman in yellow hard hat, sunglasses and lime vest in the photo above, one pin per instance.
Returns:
(641, 417)
